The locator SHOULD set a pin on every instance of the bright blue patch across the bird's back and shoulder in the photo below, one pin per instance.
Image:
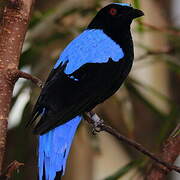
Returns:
(91, 46)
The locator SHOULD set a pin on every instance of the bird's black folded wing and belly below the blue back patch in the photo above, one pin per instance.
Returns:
(66, 96)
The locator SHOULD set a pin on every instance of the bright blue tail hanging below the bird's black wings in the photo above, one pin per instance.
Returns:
(54, 148)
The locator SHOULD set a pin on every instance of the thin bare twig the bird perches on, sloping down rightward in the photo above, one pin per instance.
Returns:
(103, 127)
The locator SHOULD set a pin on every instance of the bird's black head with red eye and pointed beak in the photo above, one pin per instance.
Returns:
(115, 15)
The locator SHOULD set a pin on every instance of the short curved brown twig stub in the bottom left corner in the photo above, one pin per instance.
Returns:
(15, 165)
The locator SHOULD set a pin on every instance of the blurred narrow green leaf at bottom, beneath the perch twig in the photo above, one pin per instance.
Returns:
(121, 172)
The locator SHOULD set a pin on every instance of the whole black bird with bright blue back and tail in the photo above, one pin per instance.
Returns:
(89, 70)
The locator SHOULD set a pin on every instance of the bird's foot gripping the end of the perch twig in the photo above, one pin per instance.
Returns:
(94, 120)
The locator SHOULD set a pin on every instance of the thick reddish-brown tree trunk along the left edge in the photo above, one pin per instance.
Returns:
(13, 28)
